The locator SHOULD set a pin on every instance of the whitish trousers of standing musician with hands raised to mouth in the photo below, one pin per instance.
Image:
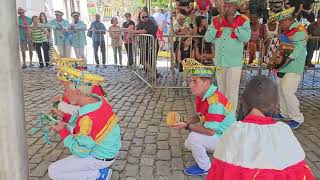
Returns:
(228, 80)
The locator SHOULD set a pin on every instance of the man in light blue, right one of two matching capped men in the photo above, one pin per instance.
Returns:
(79, 41)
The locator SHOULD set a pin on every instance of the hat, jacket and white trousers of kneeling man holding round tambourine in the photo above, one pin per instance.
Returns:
(214, 111)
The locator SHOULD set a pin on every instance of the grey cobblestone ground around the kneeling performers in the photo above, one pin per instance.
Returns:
(149, 149)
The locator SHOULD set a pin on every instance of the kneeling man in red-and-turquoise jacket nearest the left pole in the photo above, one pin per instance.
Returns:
(94, 141)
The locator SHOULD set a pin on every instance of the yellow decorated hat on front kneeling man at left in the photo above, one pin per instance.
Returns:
(79, 77)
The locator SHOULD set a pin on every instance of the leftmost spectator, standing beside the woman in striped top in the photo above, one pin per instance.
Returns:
(25, 36)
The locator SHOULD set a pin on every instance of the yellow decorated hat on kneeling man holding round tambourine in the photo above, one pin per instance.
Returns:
(192, 67)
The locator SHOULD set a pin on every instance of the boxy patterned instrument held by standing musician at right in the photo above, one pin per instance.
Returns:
(278, 52)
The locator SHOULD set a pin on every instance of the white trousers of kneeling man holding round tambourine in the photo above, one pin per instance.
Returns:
(199, 144)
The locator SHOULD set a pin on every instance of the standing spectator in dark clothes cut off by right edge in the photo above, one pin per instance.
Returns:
(313, 42)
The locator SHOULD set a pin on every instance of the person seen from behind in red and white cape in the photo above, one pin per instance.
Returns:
(258, 147)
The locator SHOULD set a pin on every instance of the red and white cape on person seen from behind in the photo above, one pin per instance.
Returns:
(265, 150)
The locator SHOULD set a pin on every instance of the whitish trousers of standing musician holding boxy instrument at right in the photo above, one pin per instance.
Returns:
(289, 103)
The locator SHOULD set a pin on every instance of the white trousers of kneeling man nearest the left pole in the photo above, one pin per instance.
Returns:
(76, 168)
